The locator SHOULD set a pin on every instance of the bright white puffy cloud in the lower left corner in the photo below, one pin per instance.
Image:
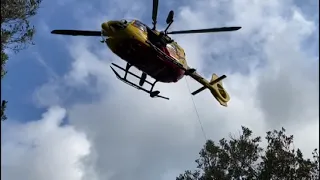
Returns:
(43, 149)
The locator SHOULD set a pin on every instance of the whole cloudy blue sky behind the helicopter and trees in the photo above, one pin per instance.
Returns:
(69, 118)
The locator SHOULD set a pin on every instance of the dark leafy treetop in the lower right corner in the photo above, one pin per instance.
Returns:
(243, 158)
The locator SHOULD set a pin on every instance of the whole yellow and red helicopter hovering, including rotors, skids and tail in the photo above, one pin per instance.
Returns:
(154, 53)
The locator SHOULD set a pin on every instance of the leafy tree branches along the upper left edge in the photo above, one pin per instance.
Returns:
(16, 32)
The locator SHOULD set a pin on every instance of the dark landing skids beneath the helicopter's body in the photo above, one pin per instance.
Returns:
(143, 80)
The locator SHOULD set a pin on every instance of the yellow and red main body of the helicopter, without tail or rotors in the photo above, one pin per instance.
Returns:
(129, 42)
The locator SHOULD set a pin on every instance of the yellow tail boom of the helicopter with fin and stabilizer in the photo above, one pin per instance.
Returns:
(215, 86)
